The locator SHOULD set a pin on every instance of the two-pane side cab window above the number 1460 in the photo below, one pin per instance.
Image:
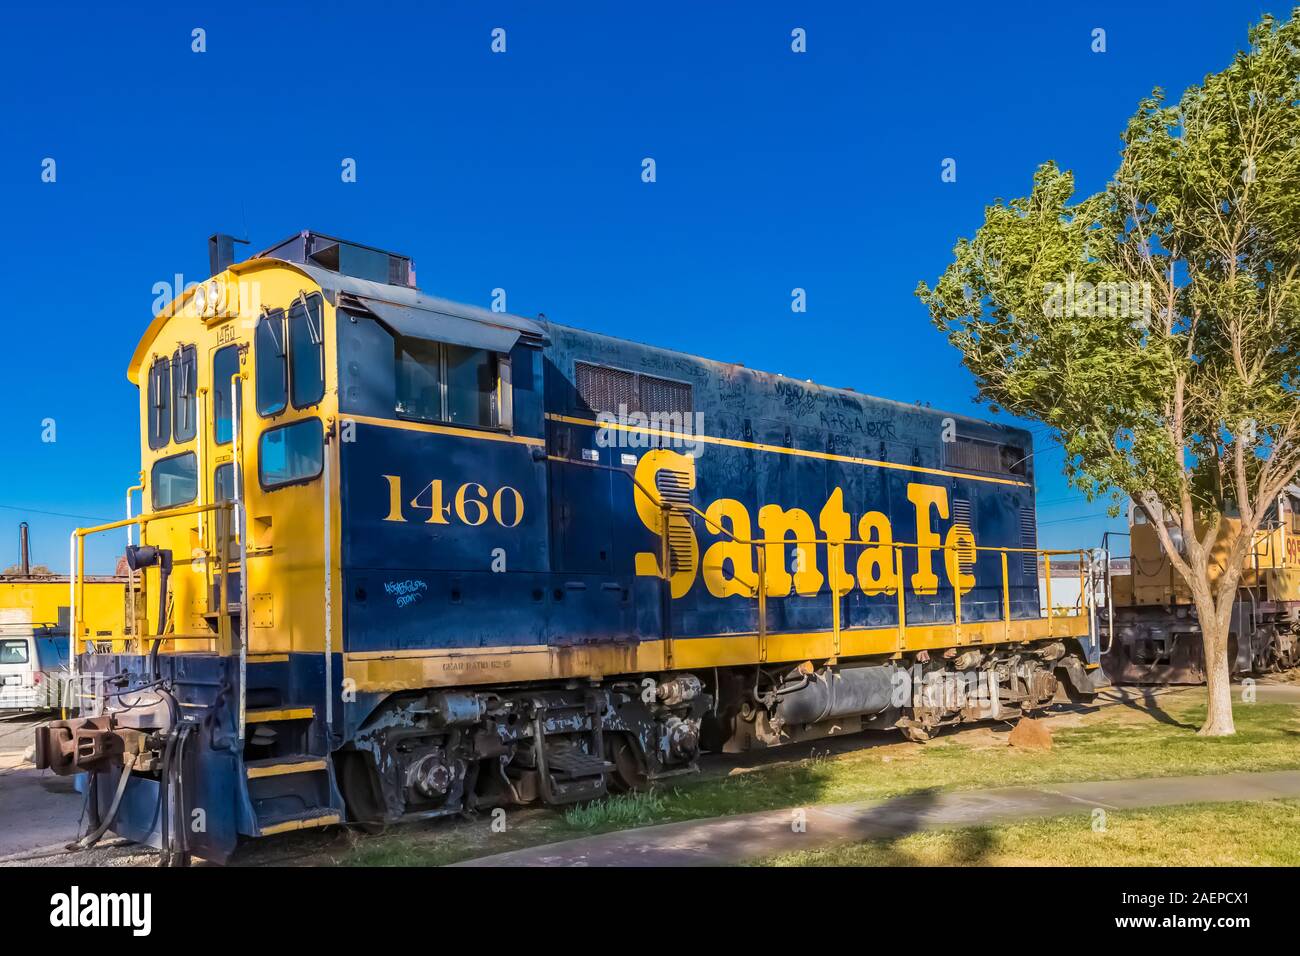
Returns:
(447, 383)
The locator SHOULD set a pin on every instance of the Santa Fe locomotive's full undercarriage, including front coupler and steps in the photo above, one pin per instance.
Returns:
(449, 751)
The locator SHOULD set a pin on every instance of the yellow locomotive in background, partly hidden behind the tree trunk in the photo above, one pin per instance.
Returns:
(1154, 637)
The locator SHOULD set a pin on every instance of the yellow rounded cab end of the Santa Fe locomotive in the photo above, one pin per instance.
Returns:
(190, 367)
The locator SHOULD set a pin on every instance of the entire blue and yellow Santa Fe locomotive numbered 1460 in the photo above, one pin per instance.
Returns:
(401, 559)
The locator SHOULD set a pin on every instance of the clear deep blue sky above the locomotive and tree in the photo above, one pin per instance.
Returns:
(523, 171)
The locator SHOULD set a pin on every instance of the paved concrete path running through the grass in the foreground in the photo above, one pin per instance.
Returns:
(729, 841)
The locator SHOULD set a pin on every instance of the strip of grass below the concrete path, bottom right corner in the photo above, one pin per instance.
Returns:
(1245, 834)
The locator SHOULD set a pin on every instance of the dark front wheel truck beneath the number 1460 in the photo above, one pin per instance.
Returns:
(440, 752)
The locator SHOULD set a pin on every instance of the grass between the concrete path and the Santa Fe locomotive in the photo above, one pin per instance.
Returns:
(1145, 739)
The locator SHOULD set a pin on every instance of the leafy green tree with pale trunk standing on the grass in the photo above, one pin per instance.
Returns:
(1155, 327)
